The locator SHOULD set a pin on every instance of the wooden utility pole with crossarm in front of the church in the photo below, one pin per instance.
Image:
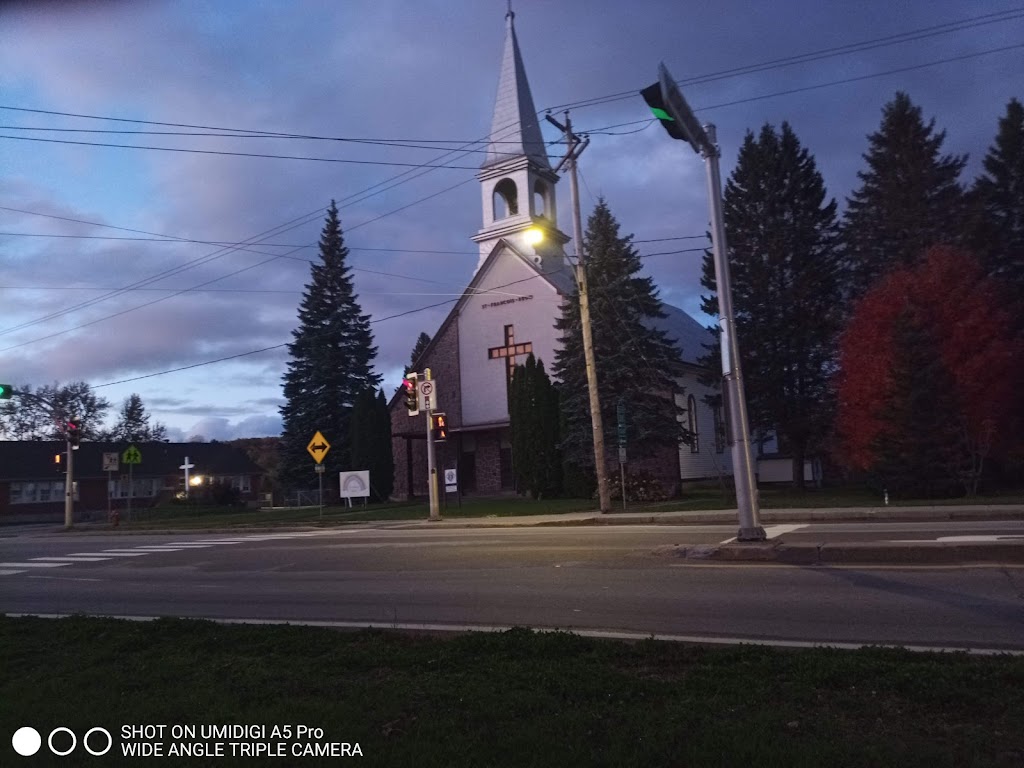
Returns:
(576, 149)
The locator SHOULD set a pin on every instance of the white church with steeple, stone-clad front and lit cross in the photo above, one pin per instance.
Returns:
(509, 311)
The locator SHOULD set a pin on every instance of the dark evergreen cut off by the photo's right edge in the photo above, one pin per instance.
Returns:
(1000, 195)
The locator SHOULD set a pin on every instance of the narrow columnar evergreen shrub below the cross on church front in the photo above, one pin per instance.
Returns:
(534, 419)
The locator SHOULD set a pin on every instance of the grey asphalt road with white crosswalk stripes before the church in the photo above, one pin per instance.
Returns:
(623, 578)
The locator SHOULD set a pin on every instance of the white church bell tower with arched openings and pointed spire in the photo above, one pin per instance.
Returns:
(517, 181)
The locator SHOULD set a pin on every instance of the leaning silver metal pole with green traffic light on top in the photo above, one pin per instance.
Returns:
(669, 106)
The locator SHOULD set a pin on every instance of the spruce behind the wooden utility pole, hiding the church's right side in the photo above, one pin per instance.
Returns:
(635, 362)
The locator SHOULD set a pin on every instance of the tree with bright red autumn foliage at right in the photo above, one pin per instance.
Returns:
(949, 301)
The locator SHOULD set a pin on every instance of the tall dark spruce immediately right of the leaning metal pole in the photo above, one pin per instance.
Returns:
(786, 287)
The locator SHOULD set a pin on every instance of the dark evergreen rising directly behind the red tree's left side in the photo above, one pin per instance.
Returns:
(910, 197)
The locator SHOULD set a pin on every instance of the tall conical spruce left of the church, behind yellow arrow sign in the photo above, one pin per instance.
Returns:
(331, 363)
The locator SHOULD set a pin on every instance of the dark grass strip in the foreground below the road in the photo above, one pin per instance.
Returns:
(516, 699)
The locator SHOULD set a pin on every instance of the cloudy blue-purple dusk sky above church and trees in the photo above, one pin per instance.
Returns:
(119, 263)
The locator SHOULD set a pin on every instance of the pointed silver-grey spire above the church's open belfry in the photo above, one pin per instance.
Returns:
(515, 130)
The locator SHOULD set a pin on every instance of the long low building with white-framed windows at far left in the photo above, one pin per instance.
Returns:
(32, 481)
